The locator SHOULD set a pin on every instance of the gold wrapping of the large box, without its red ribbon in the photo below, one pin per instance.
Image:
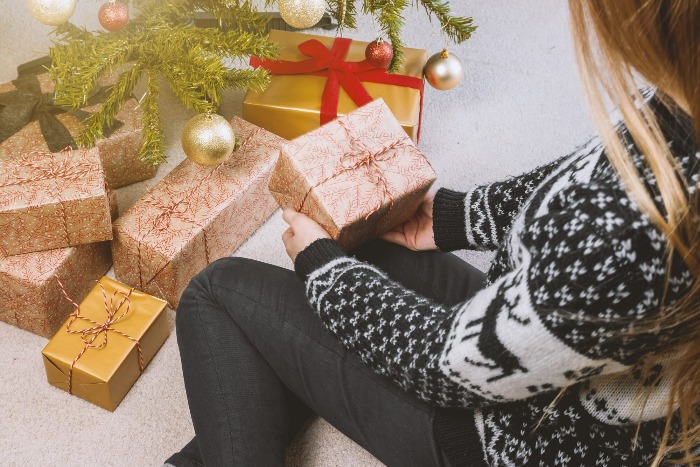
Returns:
(290, 106)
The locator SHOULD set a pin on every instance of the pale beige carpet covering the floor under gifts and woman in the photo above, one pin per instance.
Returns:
(520, 105)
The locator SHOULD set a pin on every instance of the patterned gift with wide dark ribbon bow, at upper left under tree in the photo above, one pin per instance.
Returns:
(119, 152)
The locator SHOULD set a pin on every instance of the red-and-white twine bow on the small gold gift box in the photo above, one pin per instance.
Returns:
(99, 328)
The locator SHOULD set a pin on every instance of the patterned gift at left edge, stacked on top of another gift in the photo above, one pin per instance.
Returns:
(50, 201)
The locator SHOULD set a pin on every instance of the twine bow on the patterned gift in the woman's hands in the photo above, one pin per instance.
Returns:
(368, 158)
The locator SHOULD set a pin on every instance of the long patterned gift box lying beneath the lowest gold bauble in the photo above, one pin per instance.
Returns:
(196, 215)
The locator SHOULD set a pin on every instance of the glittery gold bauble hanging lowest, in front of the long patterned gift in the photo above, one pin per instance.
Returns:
(208, 139)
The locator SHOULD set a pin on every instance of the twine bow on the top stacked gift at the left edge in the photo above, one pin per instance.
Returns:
(67, 169)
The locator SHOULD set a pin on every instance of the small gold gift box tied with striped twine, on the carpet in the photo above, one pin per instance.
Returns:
(104, 374)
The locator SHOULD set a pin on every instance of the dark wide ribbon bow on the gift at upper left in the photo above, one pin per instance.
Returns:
(27, 103)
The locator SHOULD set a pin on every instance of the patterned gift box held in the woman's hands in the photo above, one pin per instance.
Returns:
(357, 176)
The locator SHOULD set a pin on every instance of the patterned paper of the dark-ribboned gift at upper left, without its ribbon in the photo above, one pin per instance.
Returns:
(119, 152)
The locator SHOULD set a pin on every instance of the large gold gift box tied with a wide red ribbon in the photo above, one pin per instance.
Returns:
(292, 104)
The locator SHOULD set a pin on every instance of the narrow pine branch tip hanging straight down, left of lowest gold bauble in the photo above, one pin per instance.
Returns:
(153, 149)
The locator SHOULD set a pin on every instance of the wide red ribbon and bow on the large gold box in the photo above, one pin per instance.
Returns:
(340, 73)
